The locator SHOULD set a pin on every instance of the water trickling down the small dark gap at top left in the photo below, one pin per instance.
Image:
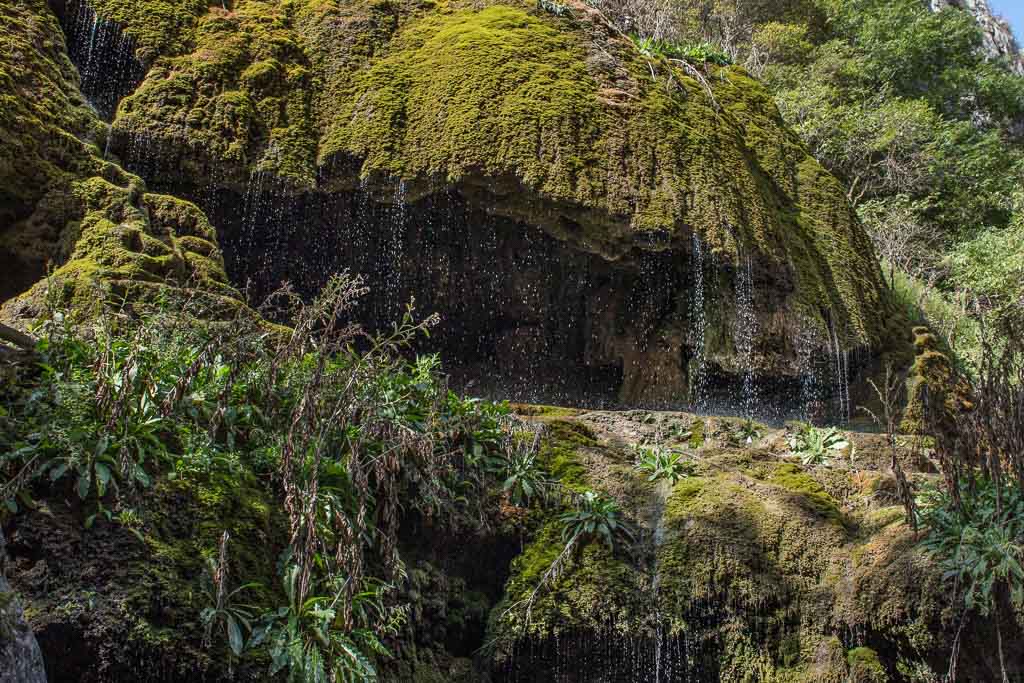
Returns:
(105, 57)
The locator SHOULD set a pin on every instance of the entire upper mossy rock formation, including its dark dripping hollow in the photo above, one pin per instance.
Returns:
(527, 173)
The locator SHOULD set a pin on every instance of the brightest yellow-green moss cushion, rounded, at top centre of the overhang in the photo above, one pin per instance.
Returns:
(475, 90)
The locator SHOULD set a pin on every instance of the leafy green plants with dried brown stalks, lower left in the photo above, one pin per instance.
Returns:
(340, 424)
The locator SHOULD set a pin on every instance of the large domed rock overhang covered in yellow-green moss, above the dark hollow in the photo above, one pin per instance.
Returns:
(554, 123)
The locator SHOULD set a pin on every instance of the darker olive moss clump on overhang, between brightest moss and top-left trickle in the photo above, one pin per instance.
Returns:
(239, 101)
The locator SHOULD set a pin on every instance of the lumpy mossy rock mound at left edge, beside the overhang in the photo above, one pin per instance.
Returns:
(76, 230)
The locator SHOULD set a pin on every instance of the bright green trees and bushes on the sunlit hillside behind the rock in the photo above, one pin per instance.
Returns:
(921, 129)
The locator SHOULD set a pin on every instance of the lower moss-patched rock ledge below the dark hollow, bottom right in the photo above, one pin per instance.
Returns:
(754, 568)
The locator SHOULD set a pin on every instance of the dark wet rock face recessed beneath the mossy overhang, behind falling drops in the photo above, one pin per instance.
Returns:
(526, 316)
